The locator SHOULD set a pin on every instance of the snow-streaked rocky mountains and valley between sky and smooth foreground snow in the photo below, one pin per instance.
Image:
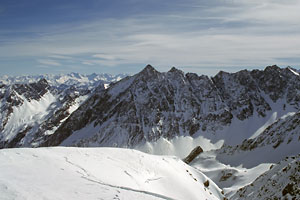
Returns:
(247, 122)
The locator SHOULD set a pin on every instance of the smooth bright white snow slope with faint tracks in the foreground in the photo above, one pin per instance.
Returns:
(99, 173)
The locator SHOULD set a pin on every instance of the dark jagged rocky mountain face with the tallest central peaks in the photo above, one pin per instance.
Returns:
(150, 105)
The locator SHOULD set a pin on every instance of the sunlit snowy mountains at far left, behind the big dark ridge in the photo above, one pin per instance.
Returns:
(31, 110)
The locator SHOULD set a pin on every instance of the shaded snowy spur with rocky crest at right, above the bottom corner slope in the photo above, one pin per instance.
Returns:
(280, 139)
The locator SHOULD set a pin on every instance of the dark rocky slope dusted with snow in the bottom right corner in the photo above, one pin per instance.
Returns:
(282, 181)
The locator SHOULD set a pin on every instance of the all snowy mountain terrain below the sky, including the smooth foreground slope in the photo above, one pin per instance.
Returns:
(247, 123)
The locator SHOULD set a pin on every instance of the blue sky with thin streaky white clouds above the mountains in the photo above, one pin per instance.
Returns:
(123, 36)
